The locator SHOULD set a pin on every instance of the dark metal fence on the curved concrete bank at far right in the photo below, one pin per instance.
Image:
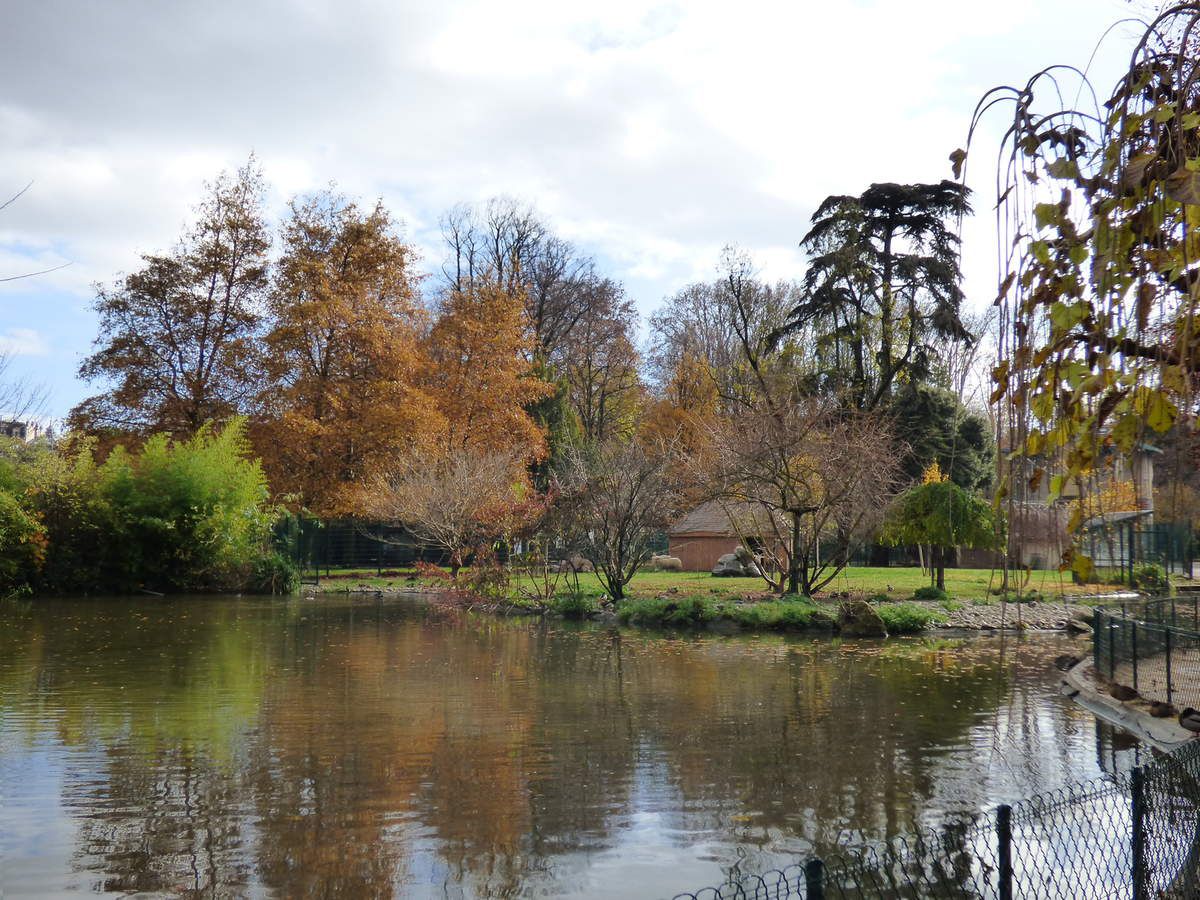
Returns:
(1154, 647)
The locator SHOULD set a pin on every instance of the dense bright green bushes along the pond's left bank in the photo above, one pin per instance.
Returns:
(172, 517)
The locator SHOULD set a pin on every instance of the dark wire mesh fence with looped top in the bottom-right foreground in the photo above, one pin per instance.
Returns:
(1135, 835)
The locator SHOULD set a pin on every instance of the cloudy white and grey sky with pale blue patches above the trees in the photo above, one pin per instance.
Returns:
(651, 134)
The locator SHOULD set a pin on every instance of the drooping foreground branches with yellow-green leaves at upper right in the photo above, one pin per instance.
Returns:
(1099, 207)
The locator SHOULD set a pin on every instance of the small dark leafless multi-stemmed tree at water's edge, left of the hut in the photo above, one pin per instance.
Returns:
(623, 495)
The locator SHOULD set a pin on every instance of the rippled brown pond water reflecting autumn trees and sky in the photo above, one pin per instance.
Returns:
(356, 748)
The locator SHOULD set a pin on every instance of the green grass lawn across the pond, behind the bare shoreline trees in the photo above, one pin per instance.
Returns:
(898, 583)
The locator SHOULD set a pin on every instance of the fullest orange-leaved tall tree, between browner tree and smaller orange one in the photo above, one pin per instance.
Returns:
(344, 357)
